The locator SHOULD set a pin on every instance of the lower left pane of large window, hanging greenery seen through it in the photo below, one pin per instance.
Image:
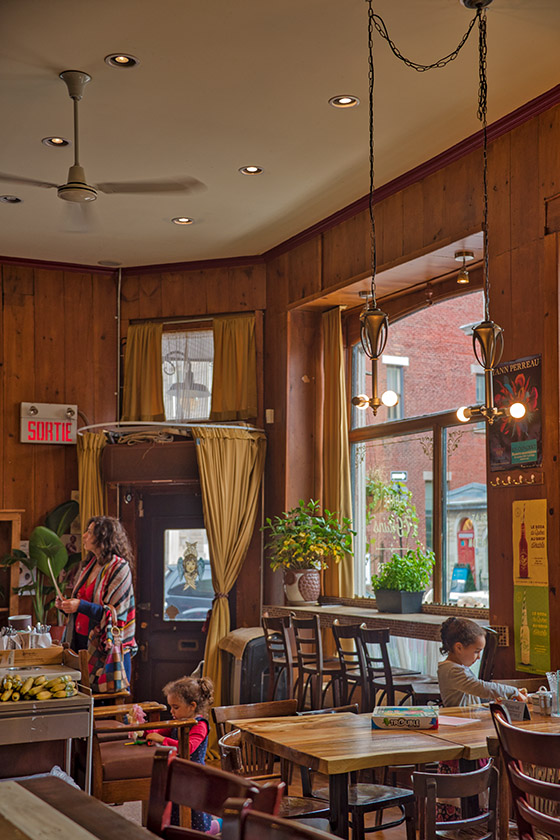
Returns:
(392, 501)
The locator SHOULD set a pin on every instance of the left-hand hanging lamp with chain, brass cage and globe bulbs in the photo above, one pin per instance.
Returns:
(374, 323)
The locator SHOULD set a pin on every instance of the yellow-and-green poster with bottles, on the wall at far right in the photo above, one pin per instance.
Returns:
(530, 579)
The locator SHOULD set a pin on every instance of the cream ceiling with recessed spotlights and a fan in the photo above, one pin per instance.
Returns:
(224, 83)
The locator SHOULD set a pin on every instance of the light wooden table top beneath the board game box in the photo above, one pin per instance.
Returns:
(339, 743)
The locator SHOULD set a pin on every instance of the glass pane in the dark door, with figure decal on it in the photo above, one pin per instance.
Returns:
(187, 584)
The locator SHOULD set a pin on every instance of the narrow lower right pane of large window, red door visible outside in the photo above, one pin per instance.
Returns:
(465, 522)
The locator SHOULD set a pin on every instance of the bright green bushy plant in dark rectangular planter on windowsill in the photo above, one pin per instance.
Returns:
(402, 580)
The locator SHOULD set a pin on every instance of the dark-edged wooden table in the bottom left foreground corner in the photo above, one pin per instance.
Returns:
(49, 809)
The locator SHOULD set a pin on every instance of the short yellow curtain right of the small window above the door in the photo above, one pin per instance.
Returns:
(234, 382)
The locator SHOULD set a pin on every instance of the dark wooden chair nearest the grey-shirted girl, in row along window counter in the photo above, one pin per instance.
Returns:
(380, 676)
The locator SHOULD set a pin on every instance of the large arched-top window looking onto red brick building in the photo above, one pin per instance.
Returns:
(439, 499)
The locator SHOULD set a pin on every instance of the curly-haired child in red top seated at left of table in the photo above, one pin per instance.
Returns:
(189, 698)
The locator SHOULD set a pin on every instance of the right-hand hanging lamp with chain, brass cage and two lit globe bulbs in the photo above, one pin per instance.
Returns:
(488, 337)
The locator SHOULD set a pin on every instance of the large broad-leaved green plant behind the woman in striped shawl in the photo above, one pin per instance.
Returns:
(46, 549)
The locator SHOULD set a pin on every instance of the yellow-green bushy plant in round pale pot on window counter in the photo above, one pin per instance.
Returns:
(302, 542)
